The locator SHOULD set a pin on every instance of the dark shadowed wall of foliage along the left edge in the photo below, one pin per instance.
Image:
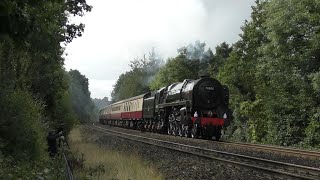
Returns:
(34, 86)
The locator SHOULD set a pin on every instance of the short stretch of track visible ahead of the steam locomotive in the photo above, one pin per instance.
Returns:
(283, 150)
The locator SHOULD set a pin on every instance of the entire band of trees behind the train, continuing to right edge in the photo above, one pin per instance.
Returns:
(272, 72)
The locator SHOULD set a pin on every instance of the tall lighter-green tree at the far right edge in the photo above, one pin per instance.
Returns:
(288, 63)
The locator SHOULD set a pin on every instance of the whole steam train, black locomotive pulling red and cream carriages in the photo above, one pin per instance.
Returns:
(191, 108)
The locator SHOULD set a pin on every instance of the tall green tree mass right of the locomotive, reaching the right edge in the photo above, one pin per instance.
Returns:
(273, 74)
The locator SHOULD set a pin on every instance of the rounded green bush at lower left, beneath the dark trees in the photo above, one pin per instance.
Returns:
(21, 129)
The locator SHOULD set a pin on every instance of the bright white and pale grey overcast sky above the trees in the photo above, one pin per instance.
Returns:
(117, 31)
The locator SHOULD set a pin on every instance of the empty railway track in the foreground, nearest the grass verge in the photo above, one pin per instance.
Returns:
(270, 167)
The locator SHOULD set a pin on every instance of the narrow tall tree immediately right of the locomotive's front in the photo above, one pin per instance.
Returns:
(238, 73)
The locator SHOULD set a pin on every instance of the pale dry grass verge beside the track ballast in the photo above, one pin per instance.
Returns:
(95, 162)
